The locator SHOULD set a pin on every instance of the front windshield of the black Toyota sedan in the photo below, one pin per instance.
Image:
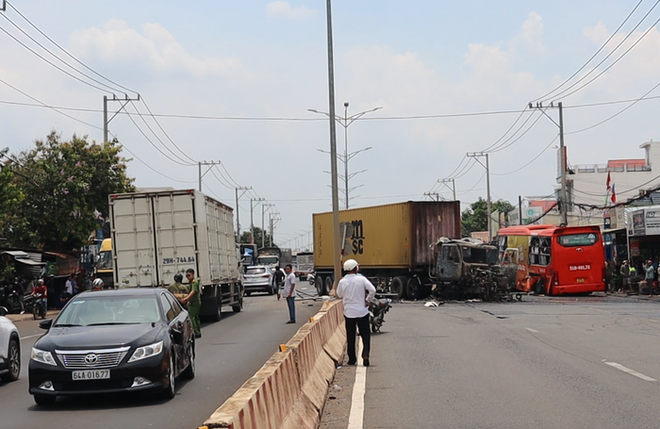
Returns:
(109, 310)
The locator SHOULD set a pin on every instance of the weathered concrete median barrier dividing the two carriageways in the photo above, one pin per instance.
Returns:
(289, 391)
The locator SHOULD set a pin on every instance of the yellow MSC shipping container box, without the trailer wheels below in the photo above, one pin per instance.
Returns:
(388, 236)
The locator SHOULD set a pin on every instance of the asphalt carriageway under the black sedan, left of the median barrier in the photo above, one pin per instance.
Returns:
(228, 354)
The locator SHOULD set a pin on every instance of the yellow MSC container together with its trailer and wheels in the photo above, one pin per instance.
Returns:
(392, 243)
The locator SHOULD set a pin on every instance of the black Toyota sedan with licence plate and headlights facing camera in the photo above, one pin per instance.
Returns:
(109, 341)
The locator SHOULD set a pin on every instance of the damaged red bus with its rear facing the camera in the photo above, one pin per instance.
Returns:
(554, 260)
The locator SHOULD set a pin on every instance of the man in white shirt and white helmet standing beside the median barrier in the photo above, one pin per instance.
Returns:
(356, 293)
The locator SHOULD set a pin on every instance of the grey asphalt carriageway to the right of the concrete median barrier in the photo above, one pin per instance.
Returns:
(587, 362)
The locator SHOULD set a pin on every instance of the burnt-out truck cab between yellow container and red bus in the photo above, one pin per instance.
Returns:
(467, 268)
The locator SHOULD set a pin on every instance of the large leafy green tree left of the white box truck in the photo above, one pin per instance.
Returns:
(65, 185)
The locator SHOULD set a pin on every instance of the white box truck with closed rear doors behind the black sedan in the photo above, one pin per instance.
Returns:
(158, 234)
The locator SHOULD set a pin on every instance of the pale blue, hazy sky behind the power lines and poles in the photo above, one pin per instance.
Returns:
(261, 60)
